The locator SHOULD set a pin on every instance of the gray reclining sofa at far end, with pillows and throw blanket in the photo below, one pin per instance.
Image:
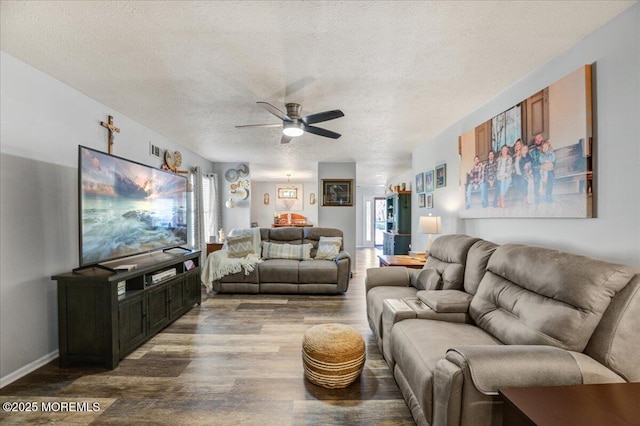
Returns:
(291, 276)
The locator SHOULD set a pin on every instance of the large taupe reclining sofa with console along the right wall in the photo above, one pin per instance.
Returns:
(520, 316)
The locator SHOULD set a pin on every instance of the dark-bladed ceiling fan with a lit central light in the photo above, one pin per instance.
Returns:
(294, 125)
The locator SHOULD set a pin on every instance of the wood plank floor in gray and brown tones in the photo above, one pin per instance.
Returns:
(234, 360)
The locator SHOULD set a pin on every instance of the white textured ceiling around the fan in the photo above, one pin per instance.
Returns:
(402, 72)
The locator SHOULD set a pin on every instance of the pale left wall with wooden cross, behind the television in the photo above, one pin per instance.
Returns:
(42, 123)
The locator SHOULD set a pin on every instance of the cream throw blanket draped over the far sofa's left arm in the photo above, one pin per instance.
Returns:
(219, 264)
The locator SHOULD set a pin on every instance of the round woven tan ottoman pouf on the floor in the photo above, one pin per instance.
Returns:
(333, 355)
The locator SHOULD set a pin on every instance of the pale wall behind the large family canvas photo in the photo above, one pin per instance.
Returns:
(615, 234)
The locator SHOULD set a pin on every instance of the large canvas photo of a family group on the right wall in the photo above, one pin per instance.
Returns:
(533, 159)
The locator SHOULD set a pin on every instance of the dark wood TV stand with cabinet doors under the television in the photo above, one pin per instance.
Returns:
(97, 325)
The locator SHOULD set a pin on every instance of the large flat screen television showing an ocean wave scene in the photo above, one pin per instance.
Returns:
(127, 208)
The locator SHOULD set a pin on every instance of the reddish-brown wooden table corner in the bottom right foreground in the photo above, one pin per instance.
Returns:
(603, 404)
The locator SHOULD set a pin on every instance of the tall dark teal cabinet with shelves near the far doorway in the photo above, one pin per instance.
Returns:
(397, 237)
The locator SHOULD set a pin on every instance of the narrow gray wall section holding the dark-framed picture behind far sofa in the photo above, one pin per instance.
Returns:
(342, 217)
